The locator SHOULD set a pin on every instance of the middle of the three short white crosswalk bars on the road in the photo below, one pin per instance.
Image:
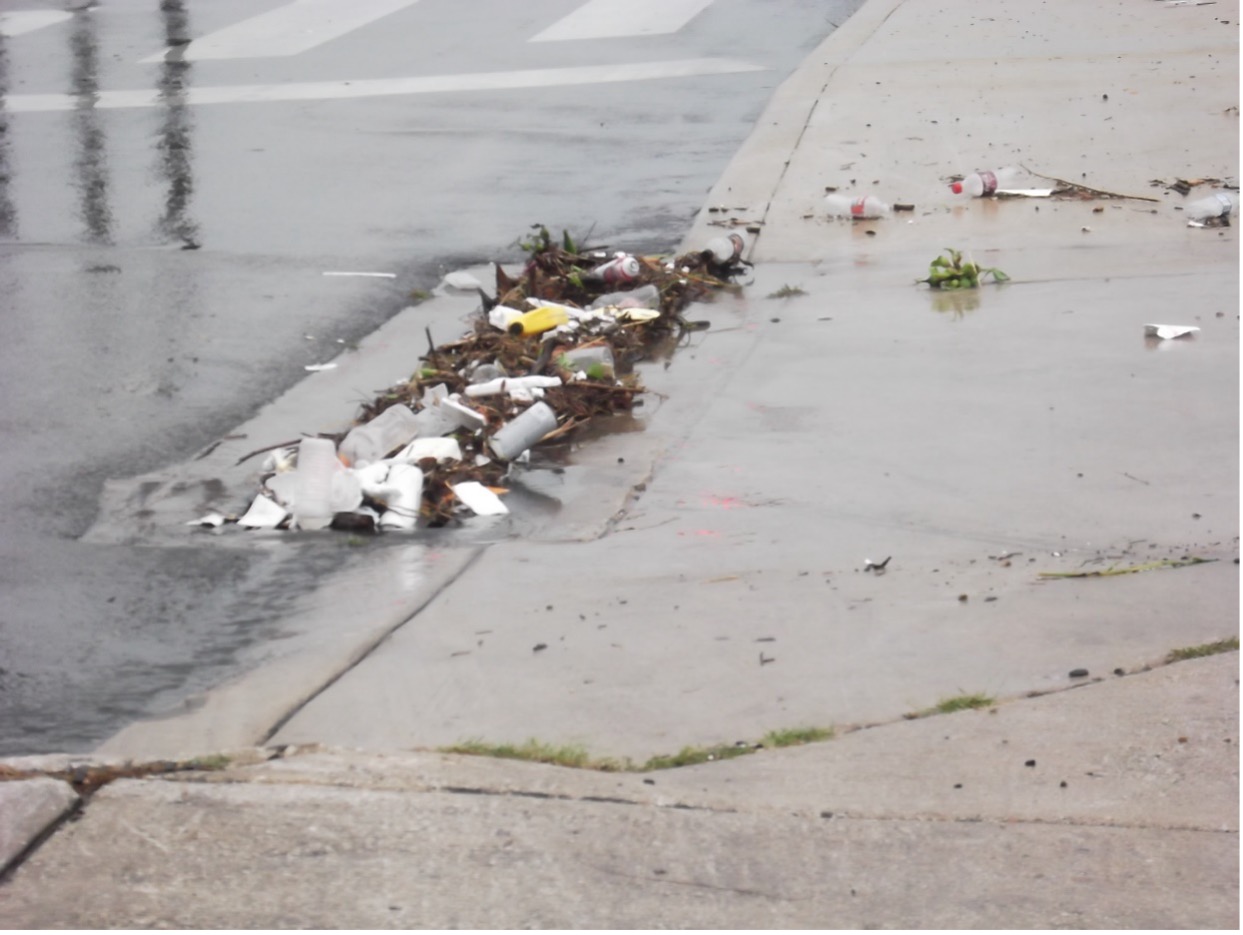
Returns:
(288, 30)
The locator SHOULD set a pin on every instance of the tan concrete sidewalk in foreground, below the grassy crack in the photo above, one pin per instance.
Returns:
(1030, 815)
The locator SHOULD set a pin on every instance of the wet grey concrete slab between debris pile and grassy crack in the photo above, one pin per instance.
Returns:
(802, 437)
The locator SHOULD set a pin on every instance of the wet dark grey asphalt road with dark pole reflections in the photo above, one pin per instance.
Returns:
(163, 244)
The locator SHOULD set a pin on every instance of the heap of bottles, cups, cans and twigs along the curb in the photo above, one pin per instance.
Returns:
(553, 351)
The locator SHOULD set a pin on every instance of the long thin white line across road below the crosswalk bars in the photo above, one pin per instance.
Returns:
(387, 88)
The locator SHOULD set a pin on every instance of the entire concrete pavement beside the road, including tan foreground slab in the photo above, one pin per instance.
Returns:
(719, 590)
